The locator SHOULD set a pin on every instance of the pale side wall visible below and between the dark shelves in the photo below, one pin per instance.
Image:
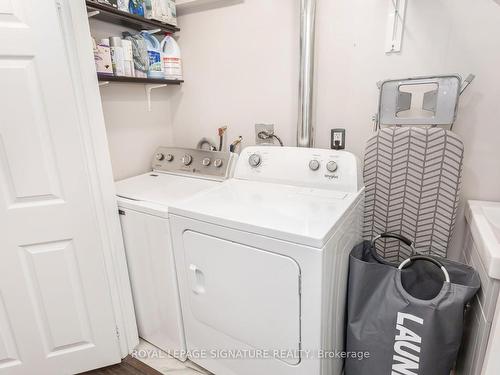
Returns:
(133, 132)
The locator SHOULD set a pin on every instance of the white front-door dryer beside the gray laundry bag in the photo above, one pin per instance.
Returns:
(262, 262)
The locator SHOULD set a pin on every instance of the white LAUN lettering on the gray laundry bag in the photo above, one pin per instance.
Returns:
(407, 343)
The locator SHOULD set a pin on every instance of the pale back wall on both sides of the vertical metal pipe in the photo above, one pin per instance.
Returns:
(241, 68)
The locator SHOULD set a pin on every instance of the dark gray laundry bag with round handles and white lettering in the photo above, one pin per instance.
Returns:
(408, 318)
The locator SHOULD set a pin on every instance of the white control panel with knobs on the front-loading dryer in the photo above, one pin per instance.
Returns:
(309, 167)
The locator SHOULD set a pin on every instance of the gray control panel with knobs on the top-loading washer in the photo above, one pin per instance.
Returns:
(186, 161)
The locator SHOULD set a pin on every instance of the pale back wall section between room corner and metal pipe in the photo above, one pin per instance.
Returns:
(240, 69)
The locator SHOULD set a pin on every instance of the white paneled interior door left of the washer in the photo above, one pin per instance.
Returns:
(56, 315)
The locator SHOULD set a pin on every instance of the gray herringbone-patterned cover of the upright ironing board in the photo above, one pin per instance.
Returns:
(412, 178)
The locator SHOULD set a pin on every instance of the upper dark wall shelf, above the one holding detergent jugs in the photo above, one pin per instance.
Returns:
(108, 14)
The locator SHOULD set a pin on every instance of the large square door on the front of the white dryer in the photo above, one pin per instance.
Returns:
(239, 294)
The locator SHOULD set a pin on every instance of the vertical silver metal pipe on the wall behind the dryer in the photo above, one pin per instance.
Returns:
(305, 130)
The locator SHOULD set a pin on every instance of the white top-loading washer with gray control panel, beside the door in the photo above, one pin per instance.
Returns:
(143, 205)
